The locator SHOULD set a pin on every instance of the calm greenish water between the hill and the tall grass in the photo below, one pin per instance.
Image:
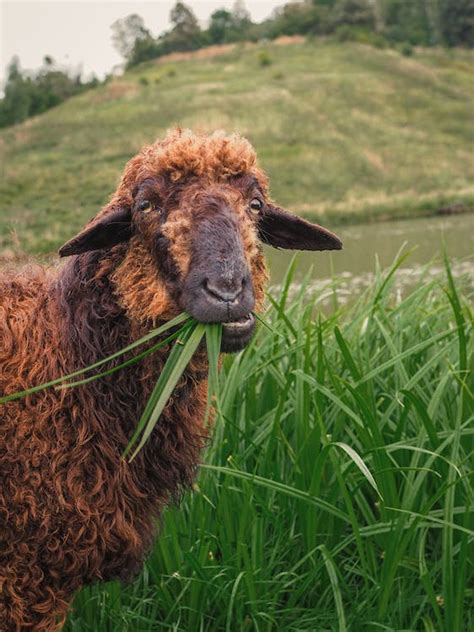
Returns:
(364, 243)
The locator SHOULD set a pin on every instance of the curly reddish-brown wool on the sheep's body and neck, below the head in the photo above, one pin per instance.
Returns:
(72, 511)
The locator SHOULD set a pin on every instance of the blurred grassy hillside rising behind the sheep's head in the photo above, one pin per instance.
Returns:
(345, 131)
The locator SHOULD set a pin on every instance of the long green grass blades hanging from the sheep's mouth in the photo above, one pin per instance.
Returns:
(187, 339)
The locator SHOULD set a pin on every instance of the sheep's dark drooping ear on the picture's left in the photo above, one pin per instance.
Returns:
(111, 229)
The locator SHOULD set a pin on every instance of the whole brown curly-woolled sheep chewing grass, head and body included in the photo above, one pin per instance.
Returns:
(183, 231)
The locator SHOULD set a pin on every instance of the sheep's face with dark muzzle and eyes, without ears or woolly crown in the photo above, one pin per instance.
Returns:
(203, 237)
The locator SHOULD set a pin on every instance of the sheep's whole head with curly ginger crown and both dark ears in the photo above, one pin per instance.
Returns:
(190, 215)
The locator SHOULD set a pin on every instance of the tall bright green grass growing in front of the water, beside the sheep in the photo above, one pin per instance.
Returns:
(337, 493)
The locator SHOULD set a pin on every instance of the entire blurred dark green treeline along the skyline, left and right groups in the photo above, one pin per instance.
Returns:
(402, 23)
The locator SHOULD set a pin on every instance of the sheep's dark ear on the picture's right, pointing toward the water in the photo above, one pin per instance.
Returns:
(281, 229)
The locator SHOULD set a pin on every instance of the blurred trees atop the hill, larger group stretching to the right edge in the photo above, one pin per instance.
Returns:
(378, 22)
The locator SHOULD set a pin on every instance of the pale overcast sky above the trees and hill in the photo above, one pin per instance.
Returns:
(77, 33)
